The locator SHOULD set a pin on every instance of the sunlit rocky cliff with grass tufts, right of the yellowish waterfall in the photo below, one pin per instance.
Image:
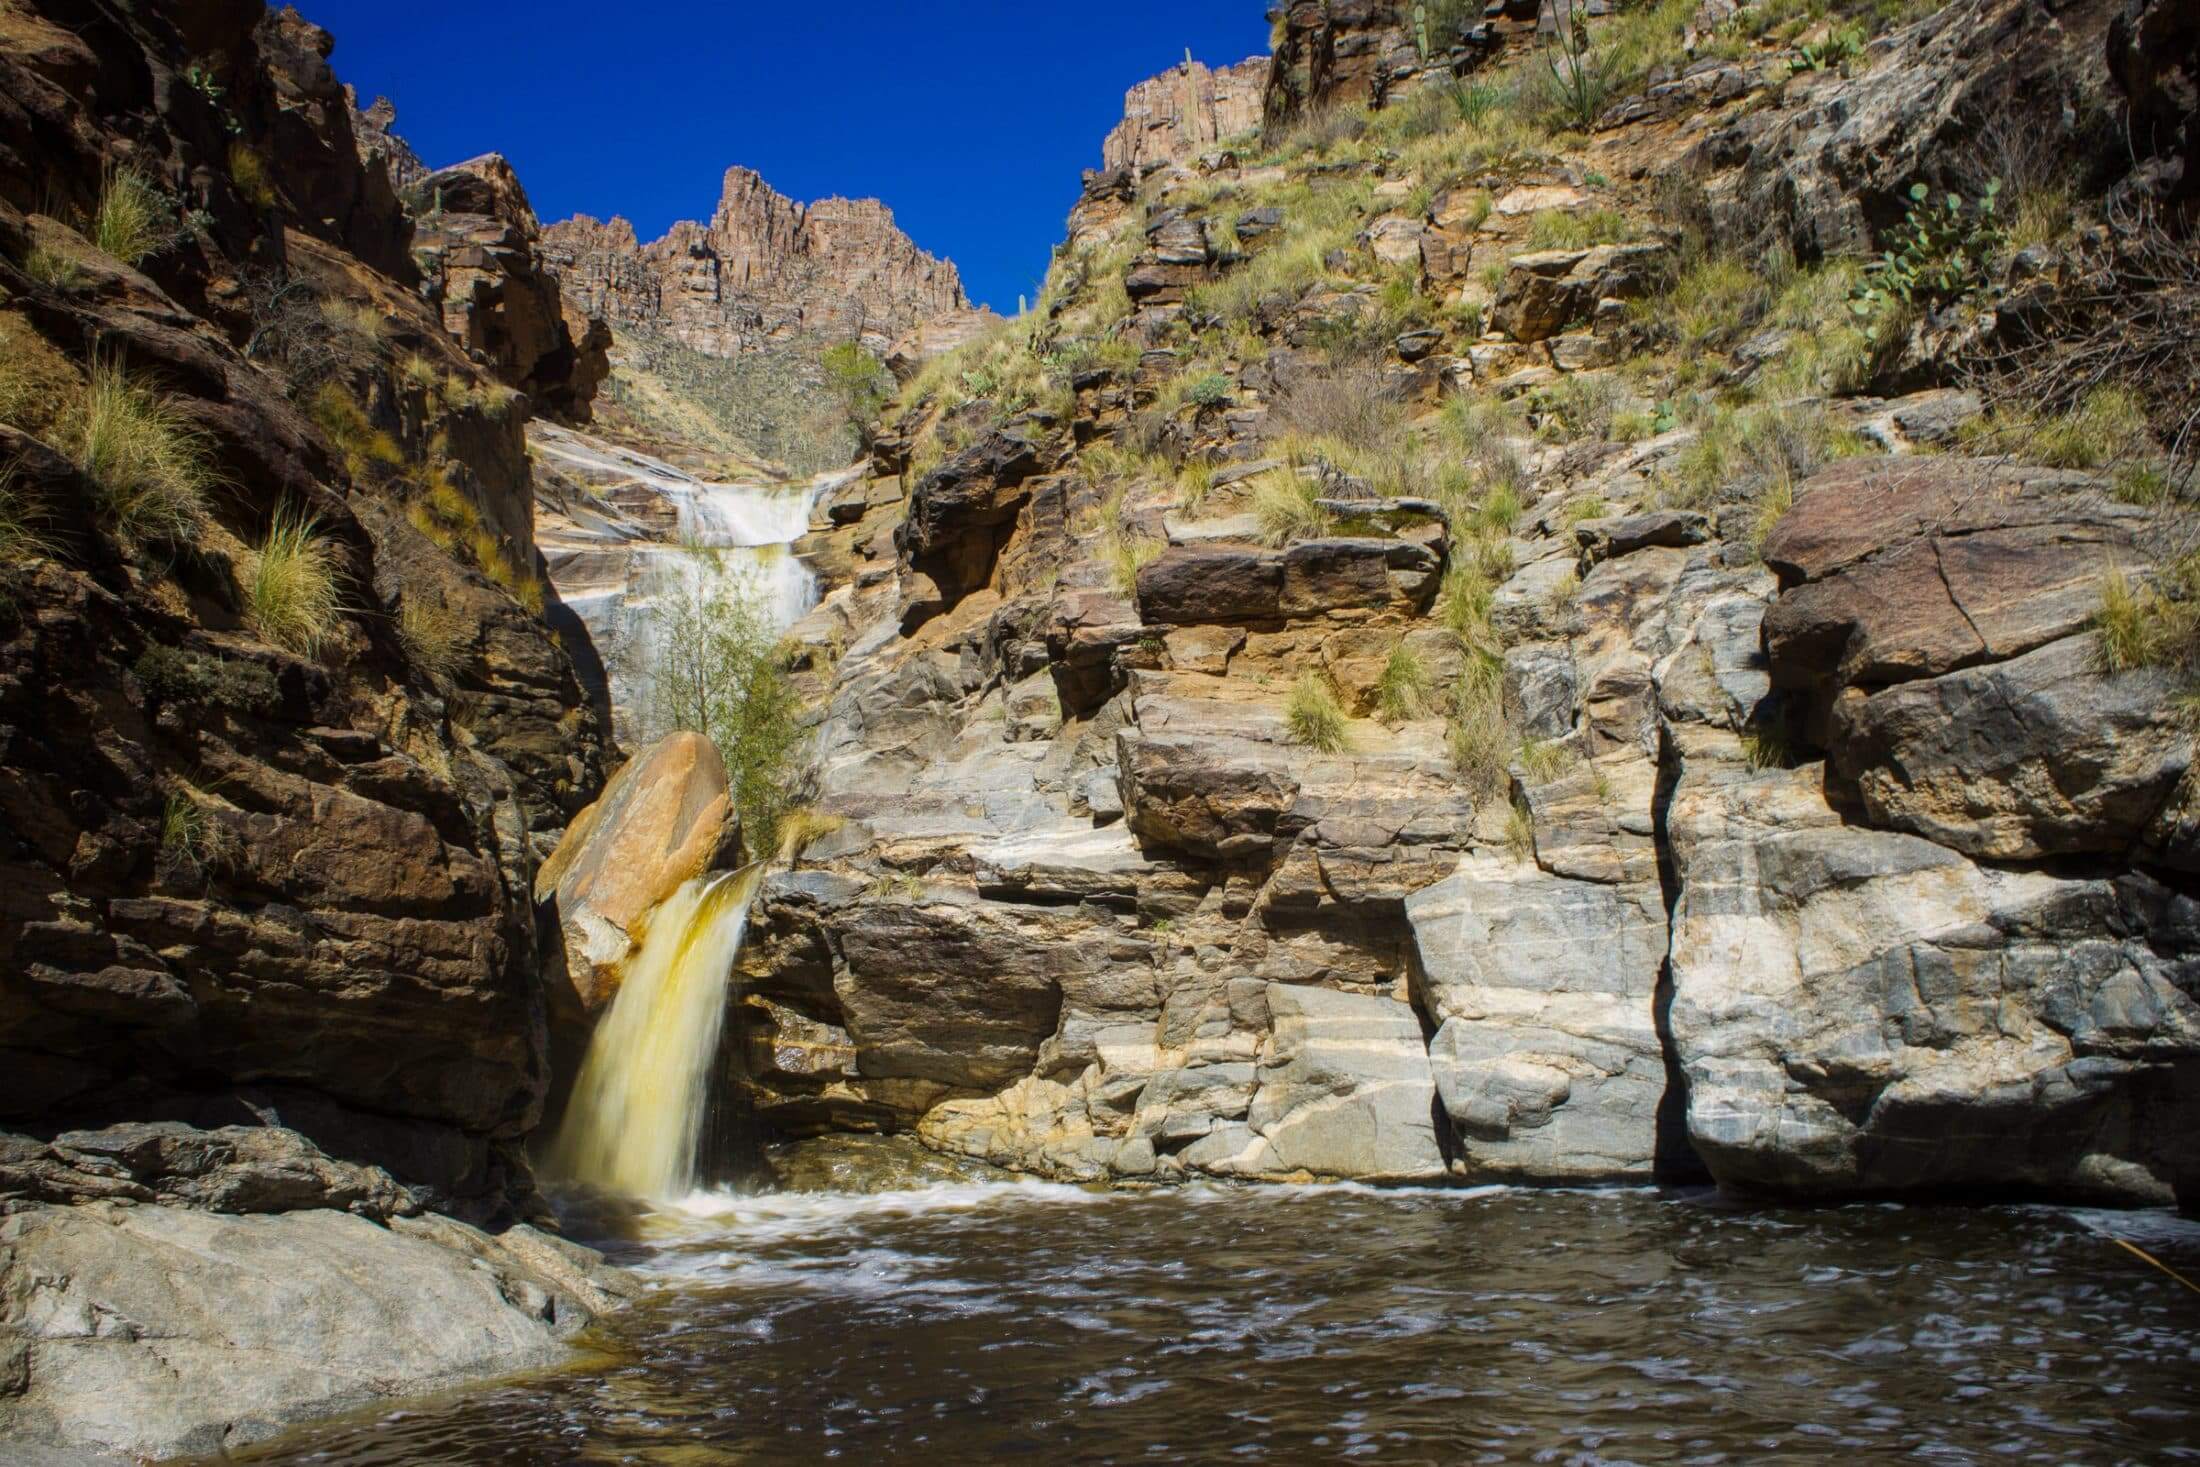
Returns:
(1473, 643)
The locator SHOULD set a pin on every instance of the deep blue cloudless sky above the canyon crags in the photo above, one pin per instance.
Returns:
(969, 118)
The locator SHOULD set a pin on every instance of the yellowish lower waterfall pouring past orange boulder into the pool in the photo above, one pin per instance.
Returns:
(637, 1112)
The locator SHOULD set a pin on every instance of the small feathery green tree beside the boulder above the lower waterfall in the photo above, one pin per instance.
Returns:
(716, 670)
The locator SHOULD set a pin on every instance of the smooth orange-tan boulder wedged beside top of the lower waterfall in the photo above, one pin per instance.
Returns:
(665, 819)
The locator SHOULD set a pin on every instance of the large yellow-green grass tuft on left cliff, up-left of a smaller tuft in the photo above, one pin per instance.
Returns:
(144, 459)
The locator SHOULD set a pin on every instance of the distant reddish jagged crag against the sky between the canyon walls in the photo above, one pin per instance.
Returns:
(762, 272)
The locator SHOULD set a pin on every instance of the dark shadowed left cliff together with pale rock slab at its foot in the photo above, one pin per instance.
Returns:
(285, 733)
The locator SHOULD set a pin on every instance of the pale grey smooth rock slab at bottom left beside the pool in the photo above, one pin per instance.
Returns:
(155, 1332)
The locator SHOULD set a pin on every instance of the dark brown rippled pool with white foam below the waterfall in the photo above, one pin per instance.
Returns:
(976, 1323)
